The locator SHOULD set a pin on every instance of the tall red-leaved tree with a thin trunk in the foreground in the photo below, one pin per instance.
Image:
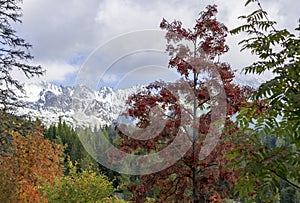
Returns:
(187, 109)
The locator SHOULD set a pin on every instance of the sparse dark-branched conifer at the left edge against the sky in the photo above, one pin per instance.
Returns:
(14, 54)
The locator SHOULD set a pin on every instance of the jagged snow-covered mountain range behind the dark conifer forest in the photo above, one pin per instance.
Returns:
(78, 106)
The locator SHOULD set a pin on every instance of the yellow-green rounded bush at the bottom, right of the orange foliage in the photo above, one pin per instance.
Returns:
(86, 186)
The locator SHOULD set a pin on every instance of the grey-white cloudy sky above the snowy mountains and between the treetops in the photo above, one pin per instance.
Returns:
(67, 34)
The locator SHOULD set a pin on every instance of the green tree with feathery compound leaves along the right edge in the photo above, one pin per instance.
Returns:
(273, 111)
